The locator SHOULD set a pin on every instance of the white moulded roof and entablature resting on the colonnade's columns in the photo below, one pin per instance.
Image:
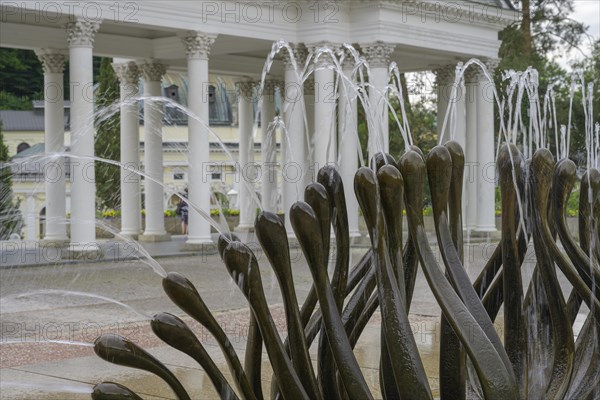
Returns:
(426, 33)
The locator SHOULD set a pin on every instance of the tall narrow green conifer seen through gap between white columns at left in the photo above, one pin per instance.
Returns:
(108, 143)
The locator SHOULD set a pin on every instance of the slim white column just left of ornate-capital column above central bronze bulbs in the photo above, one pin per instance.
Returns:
(348, 142)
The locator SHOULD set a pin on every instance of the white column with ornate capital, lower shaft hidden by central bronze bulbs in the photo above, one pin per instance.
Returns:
(378, 56)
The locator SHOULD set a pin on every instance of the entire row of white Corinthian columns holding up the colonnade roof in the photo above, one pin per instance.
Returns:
(311, 135)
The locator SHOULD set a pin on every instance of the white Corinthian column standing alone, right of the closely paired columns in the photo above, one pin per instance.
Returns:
(197, 47)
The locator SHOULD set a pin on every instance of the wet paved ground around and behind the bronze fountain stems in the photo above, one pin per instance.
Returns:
(73, 303)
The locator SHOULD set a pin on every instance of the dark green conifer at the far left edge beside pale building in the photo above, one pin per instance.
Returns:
(11, 220)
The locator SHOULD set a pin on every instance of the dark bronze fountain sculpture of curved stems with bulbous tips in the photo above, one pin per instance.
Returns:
(534, 196)
